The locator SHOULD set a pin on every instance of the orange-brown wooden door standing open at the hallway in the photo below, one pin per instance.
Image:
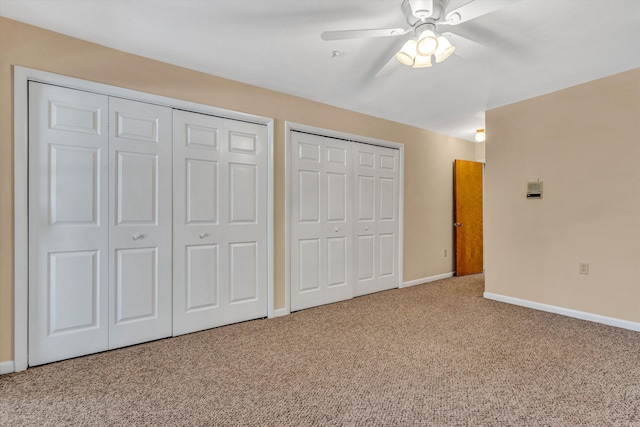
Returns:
(468, 217)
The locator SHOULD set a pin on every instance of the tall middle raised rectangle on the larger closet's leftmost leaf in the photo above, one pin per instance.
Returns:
(74, 185)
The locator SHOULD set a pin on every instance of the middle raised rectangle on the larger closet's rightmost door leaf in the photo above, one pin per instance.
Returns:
(243, 194)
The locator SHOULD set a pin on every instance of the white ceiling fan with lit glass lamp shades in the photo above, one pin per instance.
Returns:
(424, 18)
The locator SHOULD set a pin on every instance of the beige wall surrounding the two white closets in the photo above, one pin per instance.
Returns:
(428, 156)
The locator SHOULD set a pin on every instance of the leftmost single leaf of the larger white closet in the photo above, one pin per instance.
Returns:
(68, 223)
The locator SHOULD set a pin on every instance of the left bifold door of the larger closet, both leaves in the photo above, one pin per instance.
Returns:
(99, 223)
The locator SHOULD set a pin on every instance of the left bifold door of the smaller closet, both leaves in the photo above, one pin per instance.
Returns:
(321, 225)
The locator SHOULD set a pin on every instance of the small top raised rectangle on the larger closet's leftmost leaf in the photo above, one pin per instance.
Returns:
(74, 118)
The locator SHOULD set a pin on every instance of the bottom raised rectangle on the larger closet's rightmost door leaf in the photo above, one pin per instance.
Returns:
(243, 271)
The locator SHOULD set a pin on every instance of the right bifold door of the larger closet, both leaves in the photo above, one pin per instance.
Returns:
(220, 214)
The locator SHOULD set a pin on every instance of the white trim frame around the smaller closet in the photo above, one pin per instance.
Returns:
(291, 126)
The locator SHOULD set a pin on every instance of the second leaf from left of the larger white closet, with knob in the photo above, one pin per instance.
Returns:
(139, 222)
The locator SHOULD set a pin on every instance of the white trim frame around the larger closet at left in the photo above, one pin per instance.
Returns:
(22, 76)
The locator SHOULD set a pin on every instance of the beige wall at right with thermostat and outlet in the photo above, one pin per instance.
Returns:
(584, 144)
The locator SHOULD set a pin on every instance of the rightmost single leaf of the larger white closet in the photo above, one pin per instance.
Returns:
(244, 295)
